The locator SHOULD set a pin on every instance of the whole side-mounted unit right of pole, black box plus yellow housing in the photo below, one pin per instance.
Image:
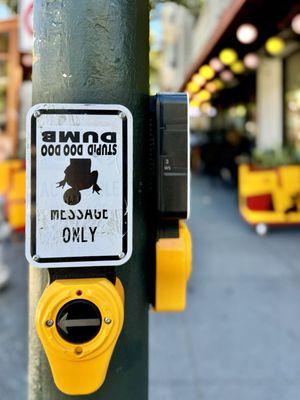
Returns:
(173, 245)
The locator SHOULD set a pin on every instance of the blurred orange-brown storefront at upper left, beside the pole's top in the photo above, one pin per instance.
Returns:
(16, 39)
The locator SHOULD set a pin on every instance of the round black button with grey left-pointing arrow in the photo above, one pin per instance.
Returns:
(78, 321)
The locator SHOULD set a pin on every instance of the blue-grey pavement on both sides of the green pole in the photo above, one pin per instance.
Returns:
(240, 336)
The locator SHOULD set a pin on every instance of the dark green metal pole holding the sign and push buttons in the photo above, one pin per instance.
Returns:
(96, 51)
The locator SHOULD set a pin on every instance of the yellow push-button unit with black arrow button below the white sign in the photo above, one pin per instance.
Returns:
(79, 322)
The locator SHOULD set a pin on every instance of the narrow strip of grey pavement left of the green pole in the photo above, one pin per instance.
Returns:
(13, 325)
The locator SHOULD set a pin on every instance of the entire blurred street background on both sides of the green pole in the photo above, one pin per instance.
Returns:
(239, 61)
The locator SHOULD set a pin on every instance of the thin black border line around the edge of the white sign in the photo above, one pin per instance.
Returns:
(33, 186)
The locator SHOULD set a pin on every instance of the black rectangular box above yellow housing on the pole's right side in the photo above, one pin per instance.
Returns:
(172, 155)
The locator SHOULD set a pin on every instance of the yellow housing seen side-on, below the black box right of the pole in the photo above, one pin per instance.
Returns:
(173, 270)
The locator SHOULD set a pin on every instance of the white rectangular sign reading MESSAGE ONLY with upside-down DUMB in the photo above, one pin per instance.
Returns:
(79, 185)
